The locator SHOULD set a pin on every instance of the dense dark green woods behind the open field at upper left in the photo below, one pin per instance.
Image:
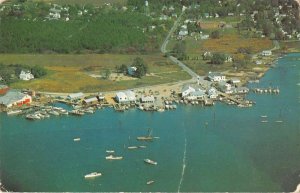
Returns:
(108, 32)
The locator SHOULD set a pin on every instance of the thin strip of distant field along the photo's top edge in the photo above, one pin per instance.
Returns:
(83, 2)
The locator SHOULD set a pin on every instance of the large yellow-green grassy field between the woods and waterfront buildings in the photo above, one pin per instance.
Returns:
(68, 73)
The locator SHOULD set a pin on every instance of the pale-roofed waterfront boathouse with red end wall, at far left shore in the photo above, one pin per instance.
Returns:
(15, 98)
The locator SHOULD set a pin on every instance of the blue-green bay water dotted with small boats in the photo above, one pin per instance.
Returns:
(224, 148)
